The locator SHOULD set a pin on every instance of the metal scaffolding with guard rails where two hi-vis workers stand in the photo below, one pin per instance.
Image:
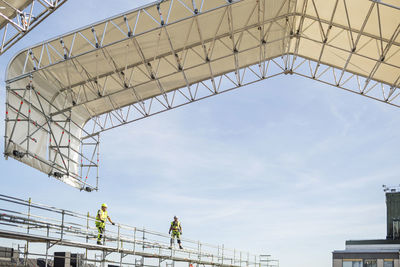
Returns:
(38, 224)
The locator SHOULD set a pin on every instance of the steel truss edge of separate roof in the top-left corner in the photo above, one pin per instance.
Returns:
(18, 21)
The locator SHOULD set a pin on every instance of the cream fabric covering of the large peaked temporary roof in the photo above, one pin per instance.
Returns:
(157, 49)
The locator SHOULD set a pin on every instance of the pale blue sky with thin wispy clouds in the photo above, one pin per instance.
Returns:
(287, 166)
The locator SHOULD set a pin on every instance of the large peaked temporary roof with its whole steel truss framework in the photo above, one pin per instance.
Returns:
(151, 60)
